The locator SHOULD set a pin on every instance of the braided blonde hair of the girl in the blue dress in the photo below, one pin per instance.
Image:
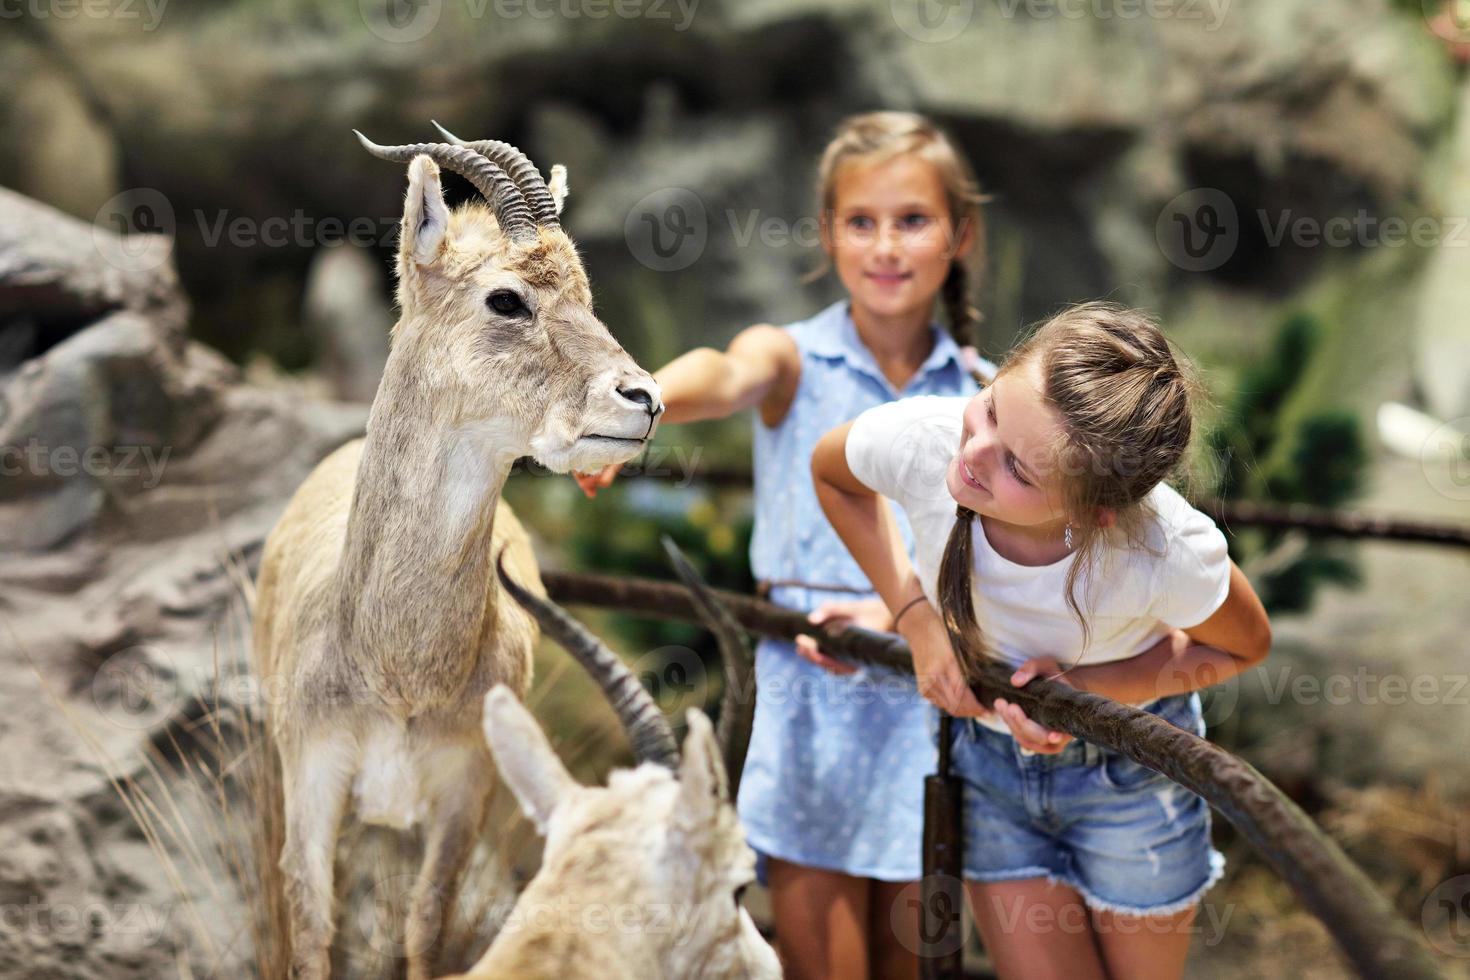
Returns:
(878, 137)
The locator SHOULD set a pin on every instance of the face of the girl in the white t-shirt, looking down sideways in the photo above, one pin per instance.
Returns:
(1009, 450)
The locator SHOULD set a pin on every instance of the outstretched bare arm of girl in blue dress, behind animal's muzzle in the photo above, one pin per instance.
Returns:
(761, 370)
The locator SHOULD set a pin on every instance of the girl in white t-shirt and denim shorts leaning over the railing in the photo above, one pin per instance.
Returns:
(1066, 549)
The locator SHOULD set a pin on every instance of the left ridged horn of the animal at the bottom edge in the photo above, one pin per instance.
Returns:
(648, 729)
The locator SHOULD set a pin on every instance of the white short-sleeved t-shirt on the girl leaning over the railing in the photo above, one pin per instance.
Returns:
(903, 449)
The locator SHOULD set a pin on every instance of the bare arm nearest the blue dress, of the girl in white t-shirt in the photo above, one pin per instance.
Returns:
(867, 525)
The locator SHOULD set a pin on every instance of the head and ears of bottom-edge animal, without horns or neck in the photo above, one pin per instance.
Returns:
(658, 841)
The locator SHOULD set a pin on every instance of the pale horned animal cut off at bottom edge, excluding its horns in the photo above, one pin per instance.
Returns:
(658, 857)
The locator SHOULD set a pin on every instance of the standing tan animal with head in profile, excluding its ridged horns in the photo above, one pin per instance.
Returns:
(380, 624)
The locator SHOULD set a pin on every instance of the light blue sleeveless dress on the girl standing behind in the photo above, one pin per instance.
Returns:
(837, 762)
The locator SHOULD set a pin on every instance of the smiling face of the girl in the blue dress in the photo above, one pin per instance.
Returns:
(892, 236)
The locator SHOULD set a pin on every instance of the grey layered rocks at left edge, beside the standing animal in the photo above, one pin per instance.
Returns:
(140, 480)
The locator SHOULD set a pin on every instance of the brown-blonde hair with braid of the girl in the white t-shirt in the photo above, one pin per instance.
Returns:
(1127, 403)
